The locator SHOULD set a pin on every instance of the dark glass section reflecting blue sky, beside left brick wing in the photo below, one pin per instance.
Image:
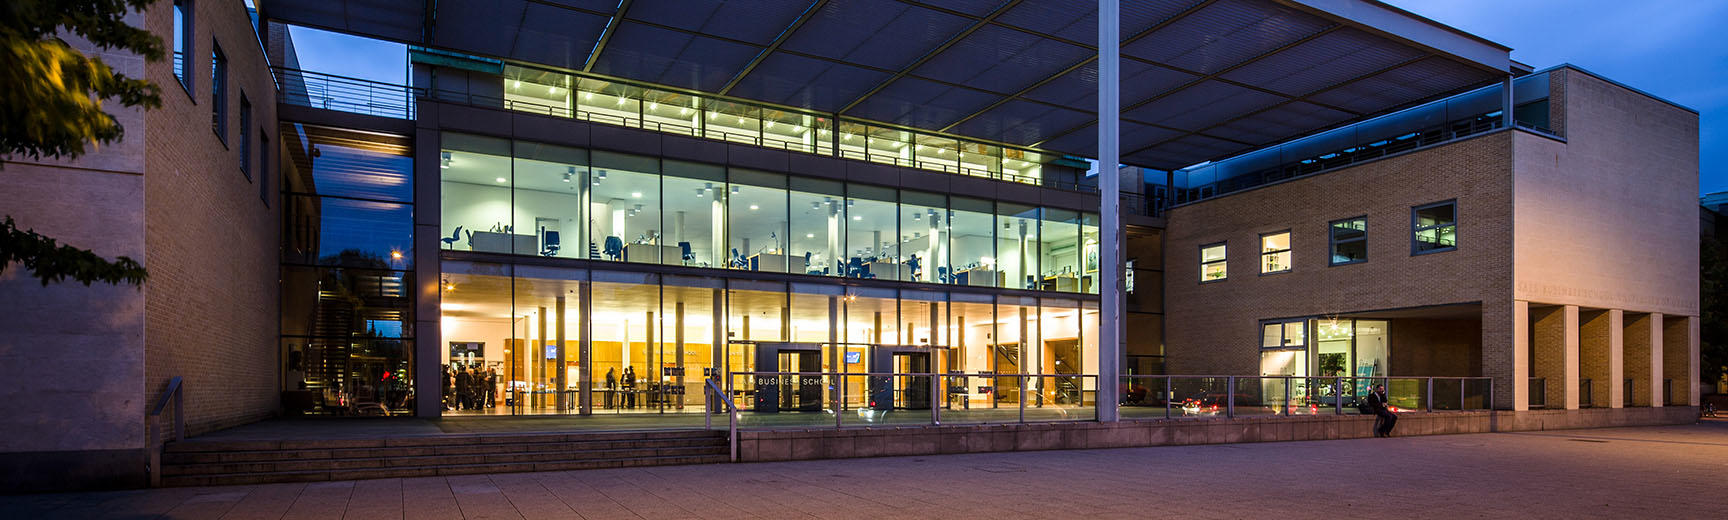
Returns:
(348, 338)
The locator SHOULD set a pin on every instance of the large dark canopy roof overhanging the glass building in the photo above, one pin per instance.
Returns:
(1200, 79)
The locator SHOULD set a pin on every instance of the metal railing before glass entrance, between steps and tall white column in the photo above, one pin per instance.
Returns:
(837, 400)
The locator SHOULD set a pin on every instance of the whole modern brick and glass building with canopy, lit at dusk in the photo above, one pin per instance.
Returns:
(823, 206)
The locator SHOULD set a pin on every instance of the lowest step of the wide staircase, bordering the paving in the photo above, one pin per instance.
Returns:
(362, 474)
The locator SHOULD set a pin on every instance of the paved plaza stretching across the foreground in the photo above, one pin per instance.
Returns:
(1656, 472)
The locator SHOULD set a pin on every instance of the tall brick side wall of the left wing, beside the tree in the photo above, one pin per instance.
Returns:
(212, 244)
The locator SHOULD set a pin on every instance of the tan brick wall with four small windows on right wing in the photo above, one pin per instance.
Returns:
(1214, 327)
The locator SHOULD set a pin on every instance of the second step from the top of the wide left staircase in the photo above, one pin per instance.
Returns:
(338, 453)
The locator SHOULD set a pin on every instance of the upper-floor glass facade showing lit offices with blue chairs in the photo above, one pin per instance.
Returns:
(535, 200)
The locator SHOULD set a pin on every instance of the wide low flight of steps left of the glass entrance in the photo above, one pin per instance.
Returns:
(262, 462)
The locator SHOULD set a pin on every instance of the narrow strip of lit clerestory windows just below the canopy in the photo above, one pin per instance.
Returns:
(659, 110)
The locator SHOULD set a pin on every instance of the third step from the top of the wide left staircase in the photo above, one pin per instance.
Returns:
(436, 460)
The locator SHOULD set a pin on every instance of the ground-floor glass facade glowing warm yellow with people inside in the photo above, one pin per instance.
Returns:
(547, 341)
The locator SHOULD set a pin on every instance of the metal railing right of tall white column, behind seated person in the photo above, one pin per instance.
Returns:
(1176, 396)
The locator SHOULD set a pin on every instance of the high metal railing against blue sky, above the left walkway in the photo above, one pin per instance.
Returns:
(343, 94)
